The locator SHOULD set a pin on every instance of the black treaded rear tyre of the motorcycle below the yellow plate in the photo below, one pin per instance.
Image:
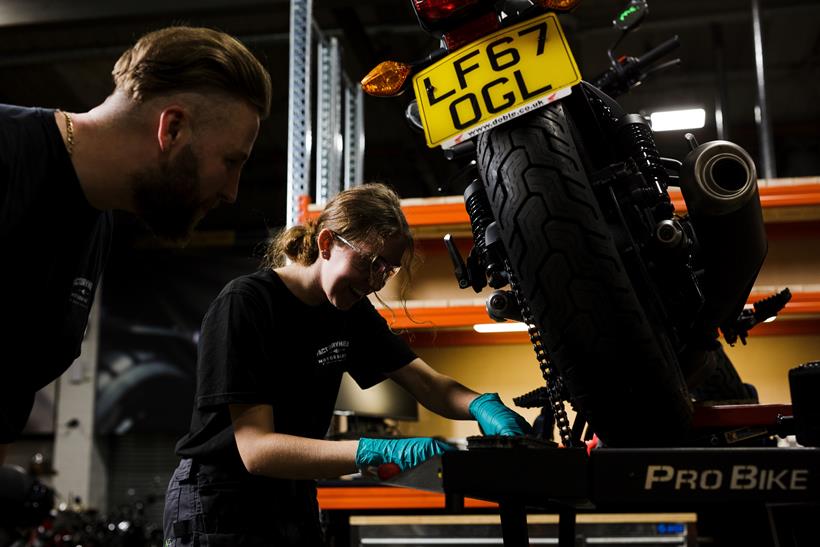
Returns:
(620, 370)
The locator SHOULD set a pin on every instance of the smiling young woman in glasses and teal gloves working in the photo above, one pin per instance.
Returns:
(273, 347)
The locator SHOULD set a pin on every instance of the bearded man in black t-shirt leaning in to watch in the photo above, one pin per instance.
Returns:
(167, 145)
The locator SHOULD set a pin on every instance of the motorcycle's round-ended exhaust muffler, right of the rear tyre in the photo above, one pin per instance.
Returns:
(718, 180)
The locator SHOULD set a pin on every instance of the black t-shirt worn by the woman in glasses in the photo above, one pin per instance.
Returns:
(262, 345)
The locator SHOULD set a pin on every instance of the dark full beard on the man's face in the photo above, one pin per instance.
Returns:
(167, 198)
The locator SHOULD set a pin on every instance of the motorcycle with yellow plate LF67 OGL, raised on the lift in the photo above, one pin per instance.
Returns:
(572, 222)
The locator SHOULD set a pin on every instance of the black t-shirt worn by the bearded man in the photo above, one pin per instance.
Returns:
(54, 247)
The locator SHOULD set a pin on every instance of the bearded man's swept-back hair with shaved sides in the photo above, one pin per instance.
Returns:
(180, 59)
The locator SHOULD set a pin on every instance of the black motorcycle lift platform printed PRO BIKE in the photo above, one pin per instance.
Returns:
(775, 489)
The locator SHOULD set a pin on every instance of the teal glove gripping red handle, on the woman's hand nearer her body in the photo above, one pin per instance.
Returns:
(405, 453)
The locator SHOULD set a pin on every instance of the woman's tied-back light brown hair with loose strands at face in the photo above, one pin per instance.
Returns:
(369, 215)
